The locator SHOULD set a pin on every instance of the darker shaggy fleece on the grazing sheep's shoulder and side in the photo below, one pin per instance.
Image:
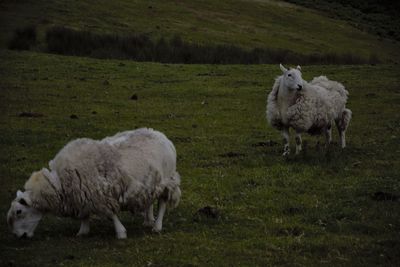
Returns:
(90, 177)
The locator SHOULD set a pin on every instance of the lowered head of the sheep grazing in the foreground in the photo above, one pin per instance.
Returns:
(22, 219)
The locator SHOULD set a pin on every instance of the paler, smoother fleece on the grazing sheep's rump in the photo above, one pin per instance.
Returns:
(148, 158)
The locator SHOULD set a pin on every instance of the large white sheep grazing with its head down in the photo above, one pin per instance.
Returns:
(128, 171)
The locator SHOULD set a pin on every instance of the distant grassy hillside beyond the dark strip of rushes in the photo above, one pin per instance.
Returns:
(247, 23)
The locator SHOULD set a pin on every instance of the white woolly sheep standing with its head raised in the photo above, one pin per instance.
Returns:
(307, 107)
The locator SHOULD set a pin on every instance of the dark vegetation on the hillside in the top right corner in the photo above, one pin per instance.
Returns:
(379, 17)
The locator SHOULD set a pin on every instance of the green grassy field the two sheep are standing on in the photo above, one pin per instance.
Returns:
(315, 209)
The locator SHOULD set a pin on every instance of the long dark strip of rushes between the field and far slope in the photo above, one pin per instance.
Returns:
(140, 47)
